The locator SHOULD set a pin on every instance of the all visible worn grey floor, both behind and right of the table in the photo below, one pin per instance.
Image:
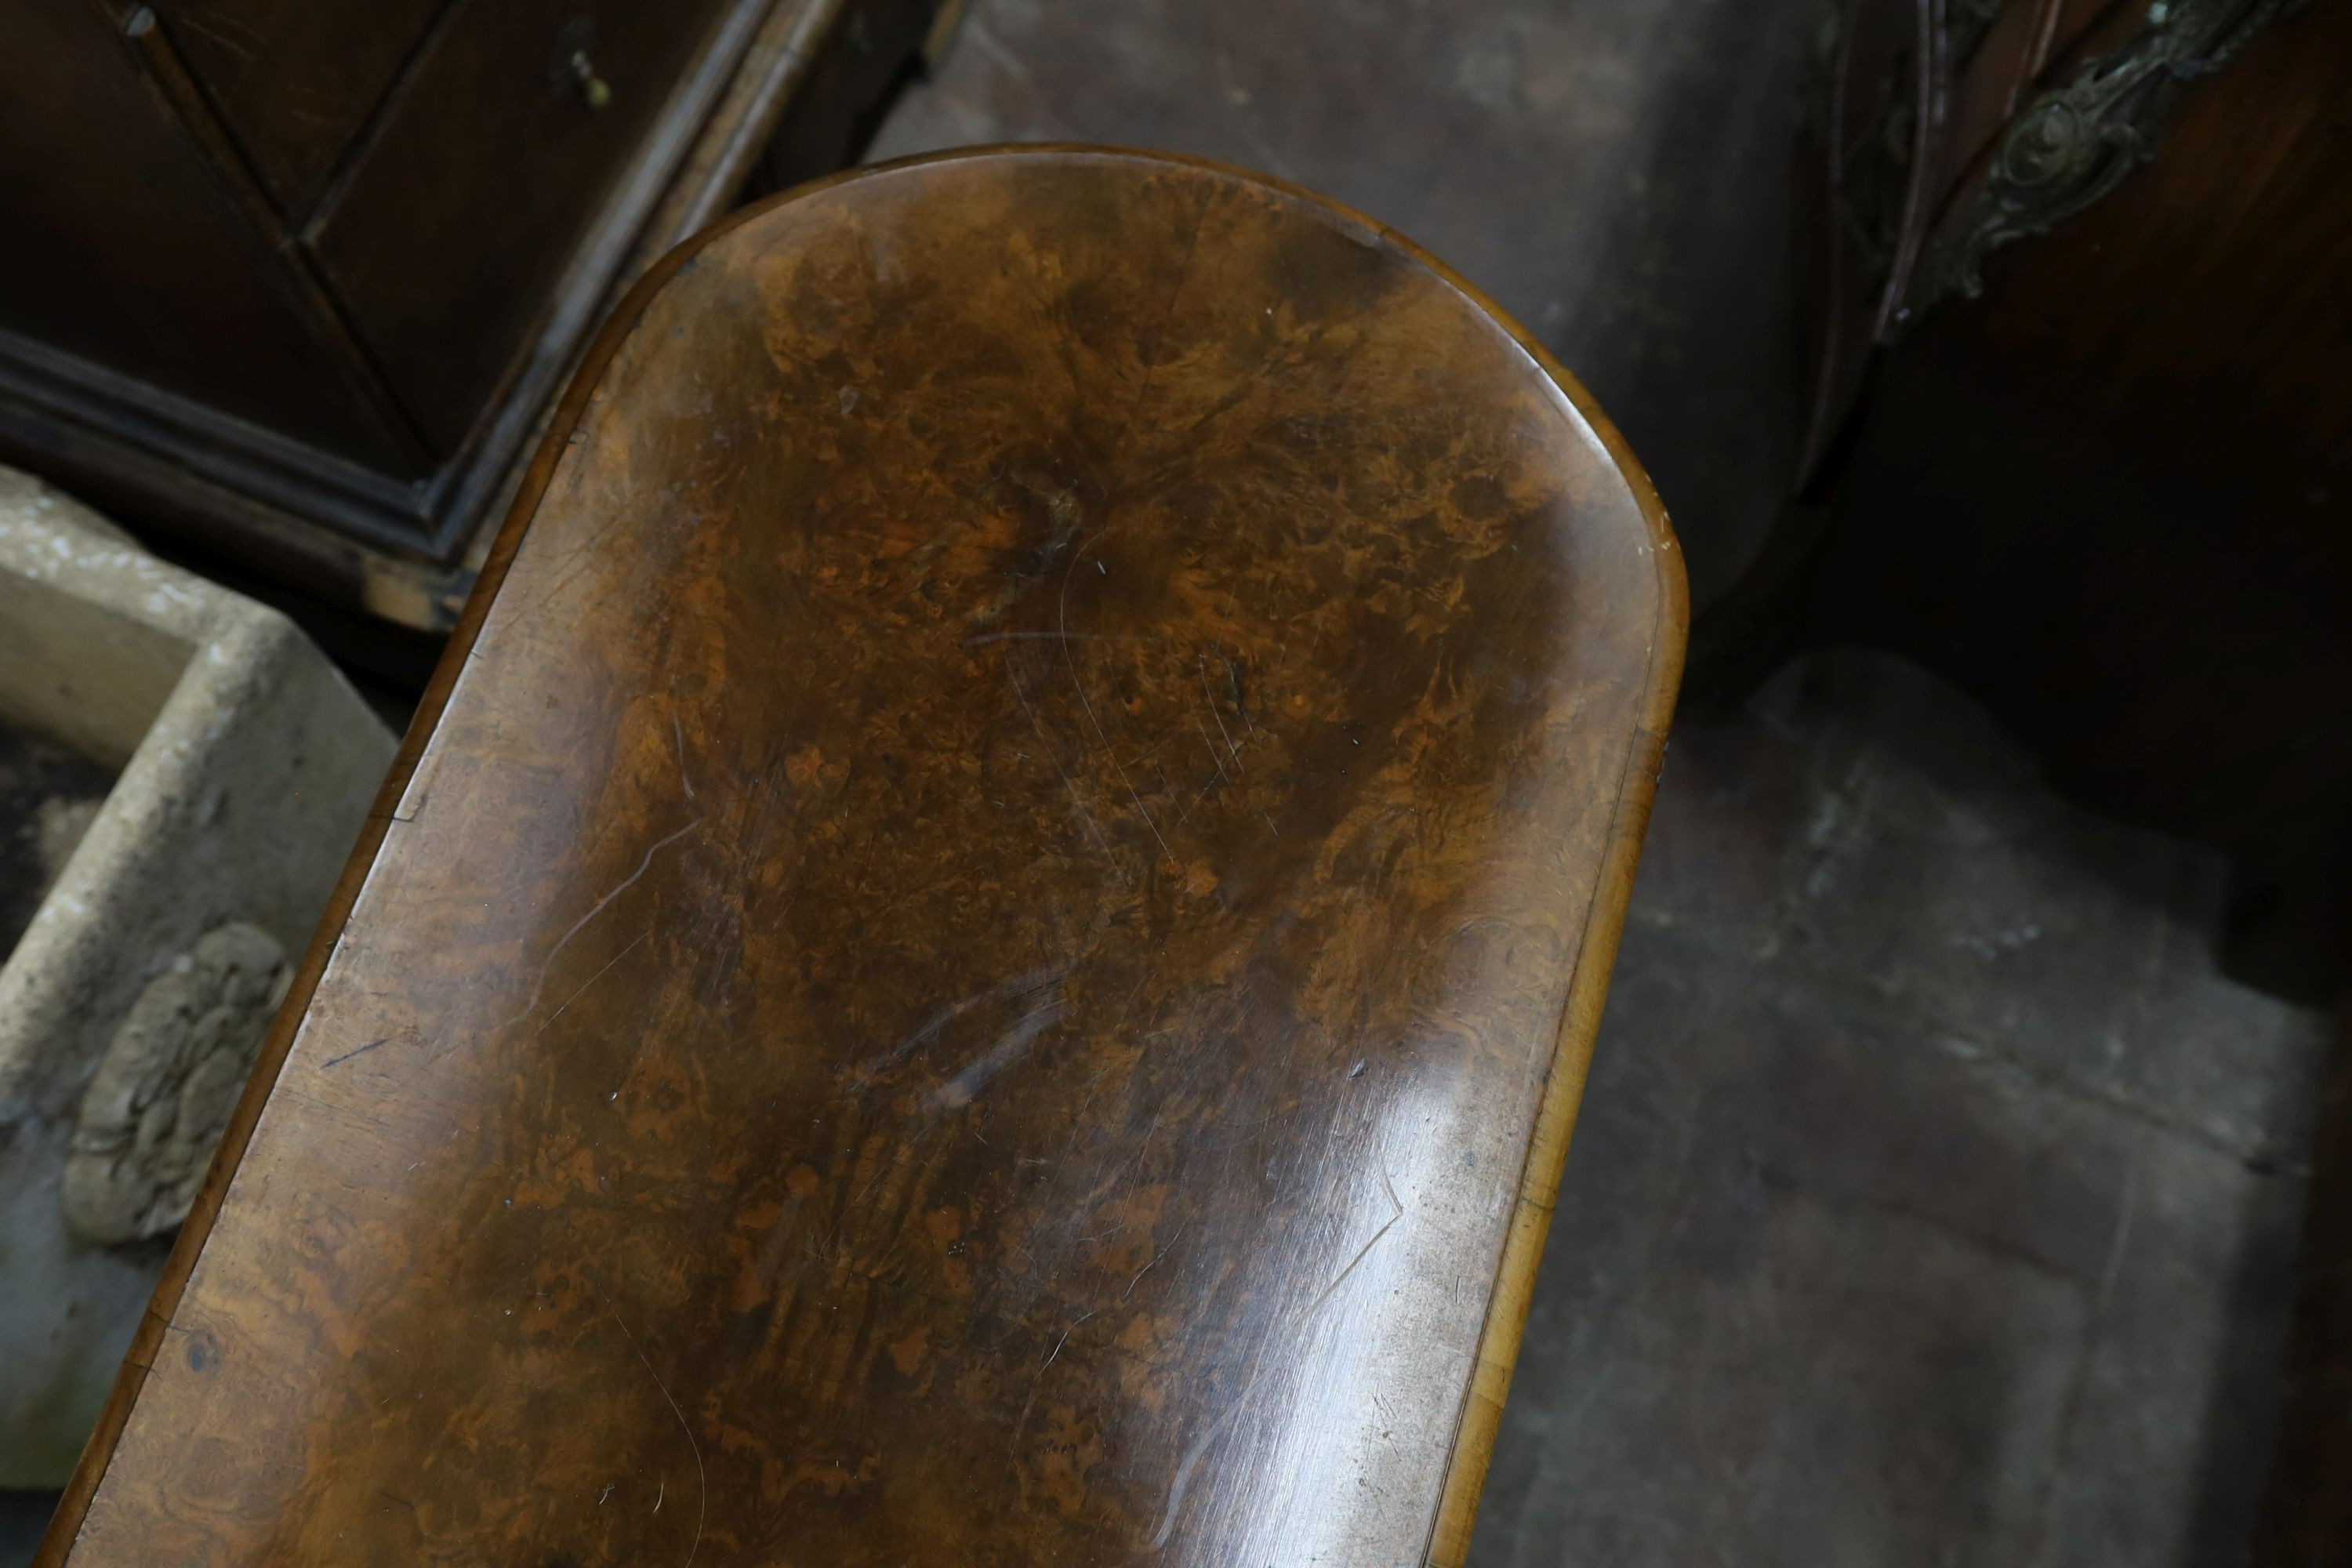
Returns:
(1935, 1200)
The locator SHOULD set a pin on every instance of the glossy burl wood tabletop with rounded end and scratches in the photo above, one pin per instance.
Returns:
(987, 944)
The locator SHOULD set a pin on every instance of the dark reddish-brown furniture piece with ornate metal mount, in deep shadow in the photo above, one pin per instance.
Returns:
(2083, 429)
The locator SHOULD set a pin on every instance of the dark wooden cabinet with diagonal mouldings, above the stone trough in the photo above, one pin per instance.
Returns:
(298, 281)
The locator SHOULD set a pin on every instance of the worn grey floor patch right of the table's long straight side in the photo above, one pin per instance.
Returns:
(1935, 1200)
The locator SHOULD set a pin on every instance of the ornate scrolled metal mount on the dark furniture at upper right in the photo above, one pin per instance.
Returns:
(2078, 142)
